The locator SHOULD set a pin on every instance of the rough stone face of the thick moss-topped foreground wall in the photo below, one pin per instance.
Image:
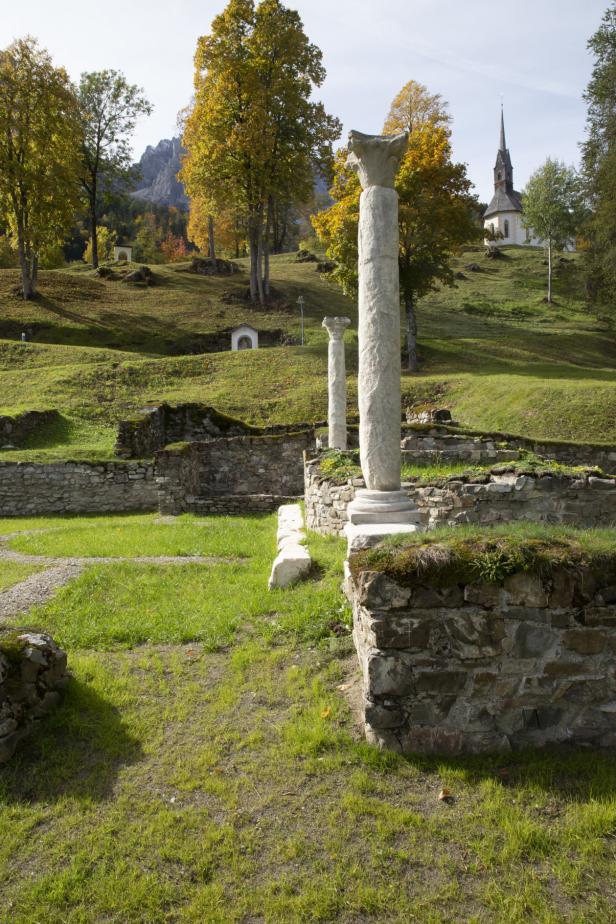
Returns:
(474, 667)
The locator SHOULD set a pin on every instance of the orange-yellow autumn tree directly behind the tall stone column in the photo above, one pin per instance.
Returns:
(436, 208)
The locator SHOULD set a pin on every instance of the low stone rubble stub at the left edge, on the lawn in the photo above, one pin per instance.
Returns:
(32, 673)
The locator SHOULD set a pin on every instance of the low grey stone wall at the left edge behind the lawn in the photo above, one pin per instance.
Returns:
(33, 488)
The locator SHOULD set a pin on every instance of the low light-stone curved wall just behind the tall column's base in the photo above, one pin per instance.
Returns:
(584, 501)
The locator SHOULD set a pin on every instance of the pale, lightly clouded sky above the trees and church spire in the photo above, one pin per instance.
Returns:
(530, 52)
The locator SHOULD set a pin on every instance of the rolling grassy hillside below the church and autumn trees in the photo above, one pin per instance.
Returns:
(492, 350)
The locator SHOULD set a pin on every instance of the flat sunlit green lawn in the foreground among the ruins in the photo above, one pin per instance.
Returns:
(217, 775)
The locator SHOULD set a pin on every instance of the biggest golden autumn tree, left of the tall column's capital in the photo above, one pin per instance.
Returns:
(253, 134)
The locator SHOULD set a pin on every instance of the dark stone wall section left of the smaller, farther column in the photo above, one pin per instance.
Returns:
(261, 471)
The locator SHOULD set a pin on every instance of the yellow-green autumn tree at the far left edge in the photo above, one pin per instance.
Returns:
(39, 148)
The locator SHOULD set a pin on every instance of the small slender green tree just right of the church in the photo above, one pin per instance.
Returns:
(551, 204)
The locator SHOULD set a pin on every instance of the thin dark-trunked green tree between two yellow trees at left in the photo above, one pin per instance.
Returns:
(110, 108)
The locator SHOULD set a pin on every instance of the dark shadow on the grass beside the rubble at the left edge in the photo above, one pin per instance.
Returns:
(76, 751)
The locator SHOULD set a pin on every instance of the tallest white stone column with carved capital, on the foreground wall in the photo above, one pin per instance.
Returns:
(382, 508)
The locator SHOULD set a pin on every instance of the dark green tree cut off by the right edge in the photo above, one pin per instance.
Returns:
(599, 164)
